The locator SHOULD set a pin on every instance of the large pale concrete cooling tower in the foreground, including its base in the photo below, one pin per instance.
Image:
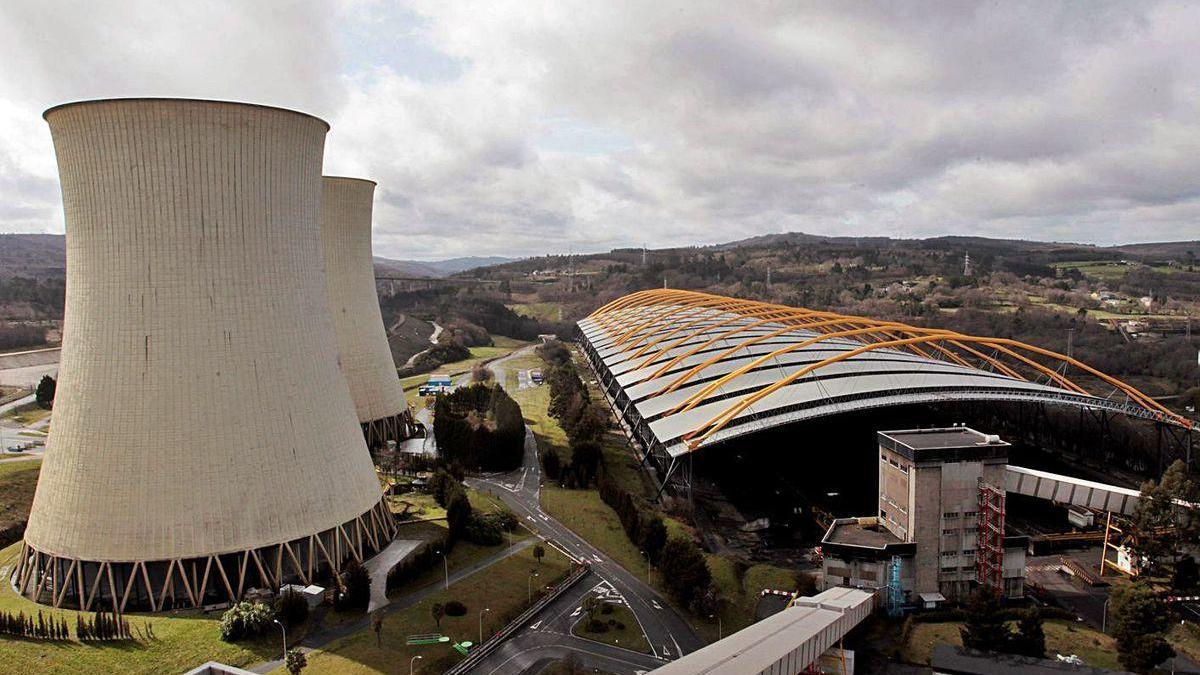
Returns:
(205, 441)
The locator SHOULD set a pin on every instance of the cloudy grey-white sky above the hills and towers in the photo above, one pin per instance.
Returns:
(523, 128)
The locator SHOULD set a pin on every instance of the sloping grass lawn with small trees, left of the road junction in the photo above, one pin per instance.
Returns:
(500, 589)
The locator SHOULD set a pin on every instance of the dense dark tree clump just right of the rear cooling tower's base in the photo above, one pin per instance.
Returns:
(479, 427)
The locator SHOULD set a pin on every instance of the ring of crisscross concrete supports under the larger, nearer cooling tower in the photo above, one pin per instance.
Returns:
(159, 586)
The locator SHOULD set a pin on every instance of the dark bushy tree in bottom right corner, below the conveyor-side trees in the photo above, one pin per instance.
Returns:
(1139, 622)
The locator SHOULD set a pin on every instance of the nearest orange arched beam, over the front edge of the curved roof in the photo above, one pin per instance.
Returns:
(717, 423)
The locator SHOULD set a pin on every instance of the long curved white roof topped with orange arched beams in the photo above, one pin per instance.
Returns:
(692, 369)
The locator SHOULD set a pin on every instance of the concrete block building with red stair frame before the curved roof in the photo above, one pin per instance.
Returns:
(937, 487)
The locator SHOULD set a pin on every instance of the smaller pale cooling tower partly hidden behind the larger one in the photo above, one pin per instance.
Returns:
(350, 276)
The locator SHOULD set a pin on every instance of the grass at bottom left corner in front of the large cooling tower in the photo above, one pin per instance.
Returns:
(185, 640)
